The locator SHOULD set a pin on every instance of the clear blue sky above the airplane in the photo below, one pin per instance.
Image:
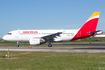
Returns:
(48, 14)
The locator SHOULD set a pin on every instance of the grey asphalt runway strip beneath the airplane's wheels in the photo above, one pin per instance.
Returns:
(92, 48)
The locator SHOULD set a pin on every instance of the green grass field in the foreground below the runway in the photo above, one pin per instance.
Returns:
(52, 61)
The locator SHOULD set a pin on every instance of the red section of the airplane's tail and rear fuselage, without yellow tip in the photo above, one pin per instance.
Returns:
(83, 32)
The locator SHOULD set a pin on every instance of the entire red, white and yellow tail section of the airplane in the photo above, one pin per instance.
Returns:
(89, 26)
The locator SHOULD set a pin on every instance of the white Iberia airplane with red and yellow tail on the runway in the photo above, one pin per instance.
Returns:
(38, 37)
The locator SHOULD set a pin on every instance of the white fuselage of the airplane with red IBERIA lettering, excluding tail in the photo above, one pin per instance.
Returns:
(26, 35)
